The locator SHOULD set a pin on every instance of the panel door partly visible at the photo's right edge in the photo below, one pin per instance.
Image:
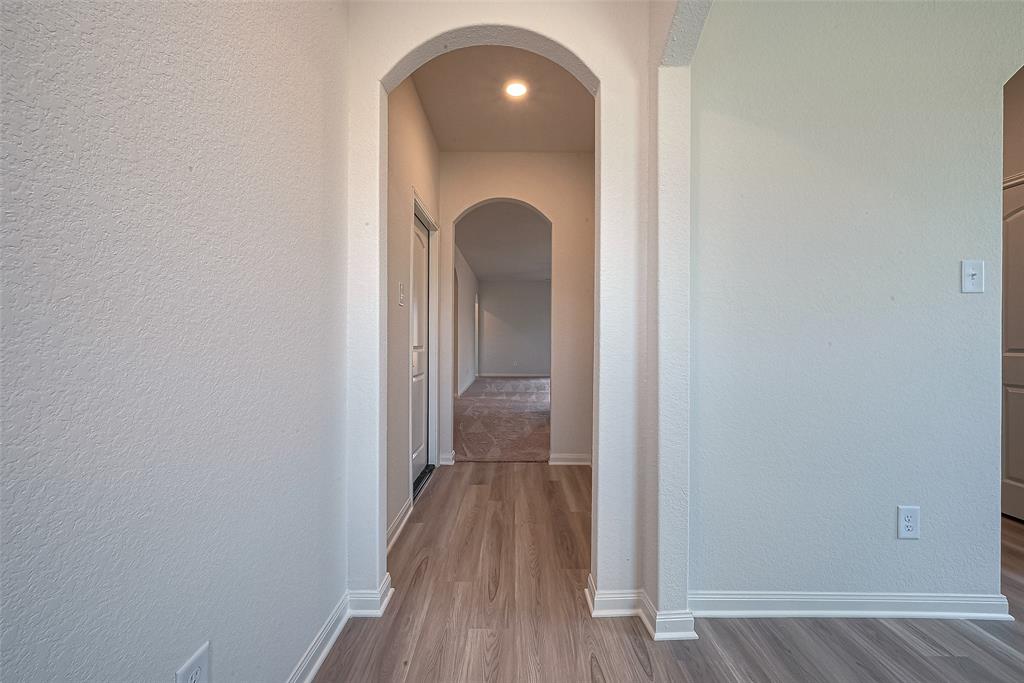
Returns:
(1013, 352)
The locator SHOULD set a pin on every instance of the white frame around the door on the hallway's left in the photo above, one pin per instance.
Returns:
(434, 264)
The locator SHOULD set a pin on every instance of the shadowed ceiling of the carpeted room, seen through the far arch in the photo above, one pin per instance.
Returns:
(505, 240)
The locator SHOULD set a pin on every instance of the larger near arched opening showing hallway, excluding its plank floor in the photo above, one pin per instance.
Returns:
(508, 177)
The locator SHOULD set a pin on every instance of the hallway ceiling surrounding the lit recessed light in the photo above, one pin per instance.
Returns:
(464, 99)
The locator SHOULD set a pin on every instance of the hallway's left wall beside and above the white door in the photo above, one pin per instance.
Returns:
(413, 167)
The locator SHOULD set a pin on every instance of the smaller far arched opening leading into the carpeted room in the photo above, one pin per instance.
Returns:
(503, 406)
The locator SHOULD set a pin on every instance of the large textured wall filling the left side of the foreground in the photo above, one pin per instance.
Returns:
(170, 473)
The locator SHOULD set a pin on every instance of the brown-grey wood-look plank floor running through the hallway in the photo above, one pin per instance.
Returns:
(490, 575)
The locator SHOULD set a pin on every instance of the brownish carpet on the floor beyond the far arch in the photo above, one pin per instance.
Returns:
(504, 419)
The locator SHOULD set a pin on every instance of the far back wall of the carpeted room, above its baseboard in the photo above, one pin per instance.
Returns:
(516, 328)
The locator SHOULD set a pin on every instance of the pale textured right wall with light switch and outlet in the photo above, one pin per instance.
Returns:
(847, 156)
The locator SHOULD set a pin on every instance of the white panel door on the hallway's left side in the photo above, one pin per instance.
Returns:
(419, 336)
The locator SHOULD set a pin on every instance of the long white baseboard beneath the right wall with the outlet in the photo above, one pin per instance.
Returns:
(751, 605)
